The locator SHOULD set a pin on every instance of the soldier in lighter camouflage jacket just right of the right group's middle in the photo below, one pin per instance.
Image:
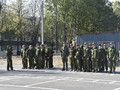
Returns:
(94, 58)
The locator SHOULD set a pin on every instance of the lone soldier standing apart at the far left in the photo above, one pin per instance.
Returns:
(9, 54)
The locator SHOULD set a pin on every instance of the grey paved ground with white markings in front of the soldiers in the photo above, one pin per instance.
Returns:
(56, 79)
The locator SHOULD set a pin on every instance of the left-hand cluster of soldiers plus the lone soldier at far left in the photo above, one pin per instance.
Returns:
(38, 57)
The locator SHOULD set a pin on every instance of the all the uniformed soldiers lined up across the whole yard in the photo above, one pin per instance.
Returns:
(87, 57)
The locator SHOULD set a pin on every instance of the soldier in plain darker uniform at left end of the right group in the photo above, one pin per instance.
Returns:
(64, 54)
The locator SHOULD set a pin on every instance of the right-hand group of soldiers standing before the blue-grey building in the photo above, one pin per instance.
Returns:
(89, 57)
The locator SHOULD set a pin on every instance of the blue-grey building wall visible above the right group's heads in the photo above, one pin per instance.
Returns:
(100, 38)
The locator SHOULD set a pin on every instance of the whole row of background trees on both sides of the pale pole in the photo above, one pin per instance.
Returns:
(63, 19)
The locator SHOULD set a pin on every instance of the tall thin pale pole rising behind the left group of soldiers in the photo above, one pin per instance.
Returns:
(42, 22)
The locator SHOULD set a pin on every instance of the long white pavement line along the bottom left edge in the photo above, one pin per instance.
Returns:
(17, 86)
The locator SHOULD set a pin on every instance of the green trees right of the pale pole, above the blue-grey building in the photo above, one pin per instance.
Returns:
(79, 16)
